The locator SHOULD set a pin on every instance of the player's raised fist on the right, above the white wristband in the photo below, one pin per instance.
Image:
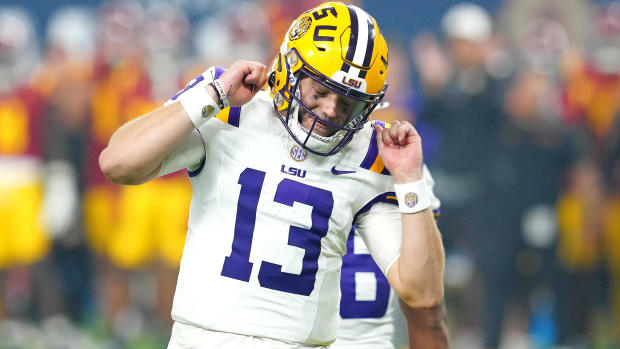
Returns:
(400, 148)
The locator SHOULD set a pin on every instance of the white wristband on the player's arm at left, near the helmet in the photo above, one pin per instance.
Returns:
(198, 104)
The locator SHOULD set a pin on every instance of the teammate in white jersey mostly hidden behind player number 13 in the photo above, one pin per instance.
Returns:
(367, 303)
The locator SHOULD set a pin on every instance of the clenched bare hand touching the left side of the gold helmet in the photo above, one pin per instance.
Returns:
(242, 80)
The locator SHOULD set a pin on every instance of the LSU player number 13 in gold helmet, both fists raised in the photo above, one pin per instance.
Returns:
(278, 180)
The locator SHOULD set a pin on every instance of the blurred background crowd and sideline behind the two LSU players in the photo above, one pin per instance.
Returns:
(517, 102)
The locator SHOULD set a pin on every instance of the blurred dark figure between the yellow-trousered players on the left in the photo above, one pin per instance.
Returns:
(66, 77)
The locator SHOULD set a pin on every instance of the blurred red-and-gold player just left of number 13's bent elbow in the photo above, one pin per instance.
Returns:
(120, 89)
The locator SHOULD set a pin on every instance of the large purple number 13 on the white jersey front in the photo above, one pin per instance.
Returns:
(270, 275)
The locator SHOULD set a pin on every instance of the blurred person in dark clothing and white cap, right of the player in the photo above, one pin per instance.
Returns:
(463, 106)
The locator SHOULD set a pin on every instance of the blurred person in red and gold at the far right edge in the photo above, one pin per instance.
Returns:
(591, 99)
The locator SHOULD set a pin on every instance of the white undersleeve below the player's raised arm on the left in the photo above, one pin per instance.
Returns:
(189, 154)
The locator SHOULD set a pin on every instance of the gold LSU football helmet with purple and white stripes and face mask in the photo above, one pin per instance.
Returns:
(339, 46)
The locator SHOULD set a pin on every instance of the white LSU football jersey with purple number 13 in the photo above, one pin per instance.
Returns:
(268, 227)
